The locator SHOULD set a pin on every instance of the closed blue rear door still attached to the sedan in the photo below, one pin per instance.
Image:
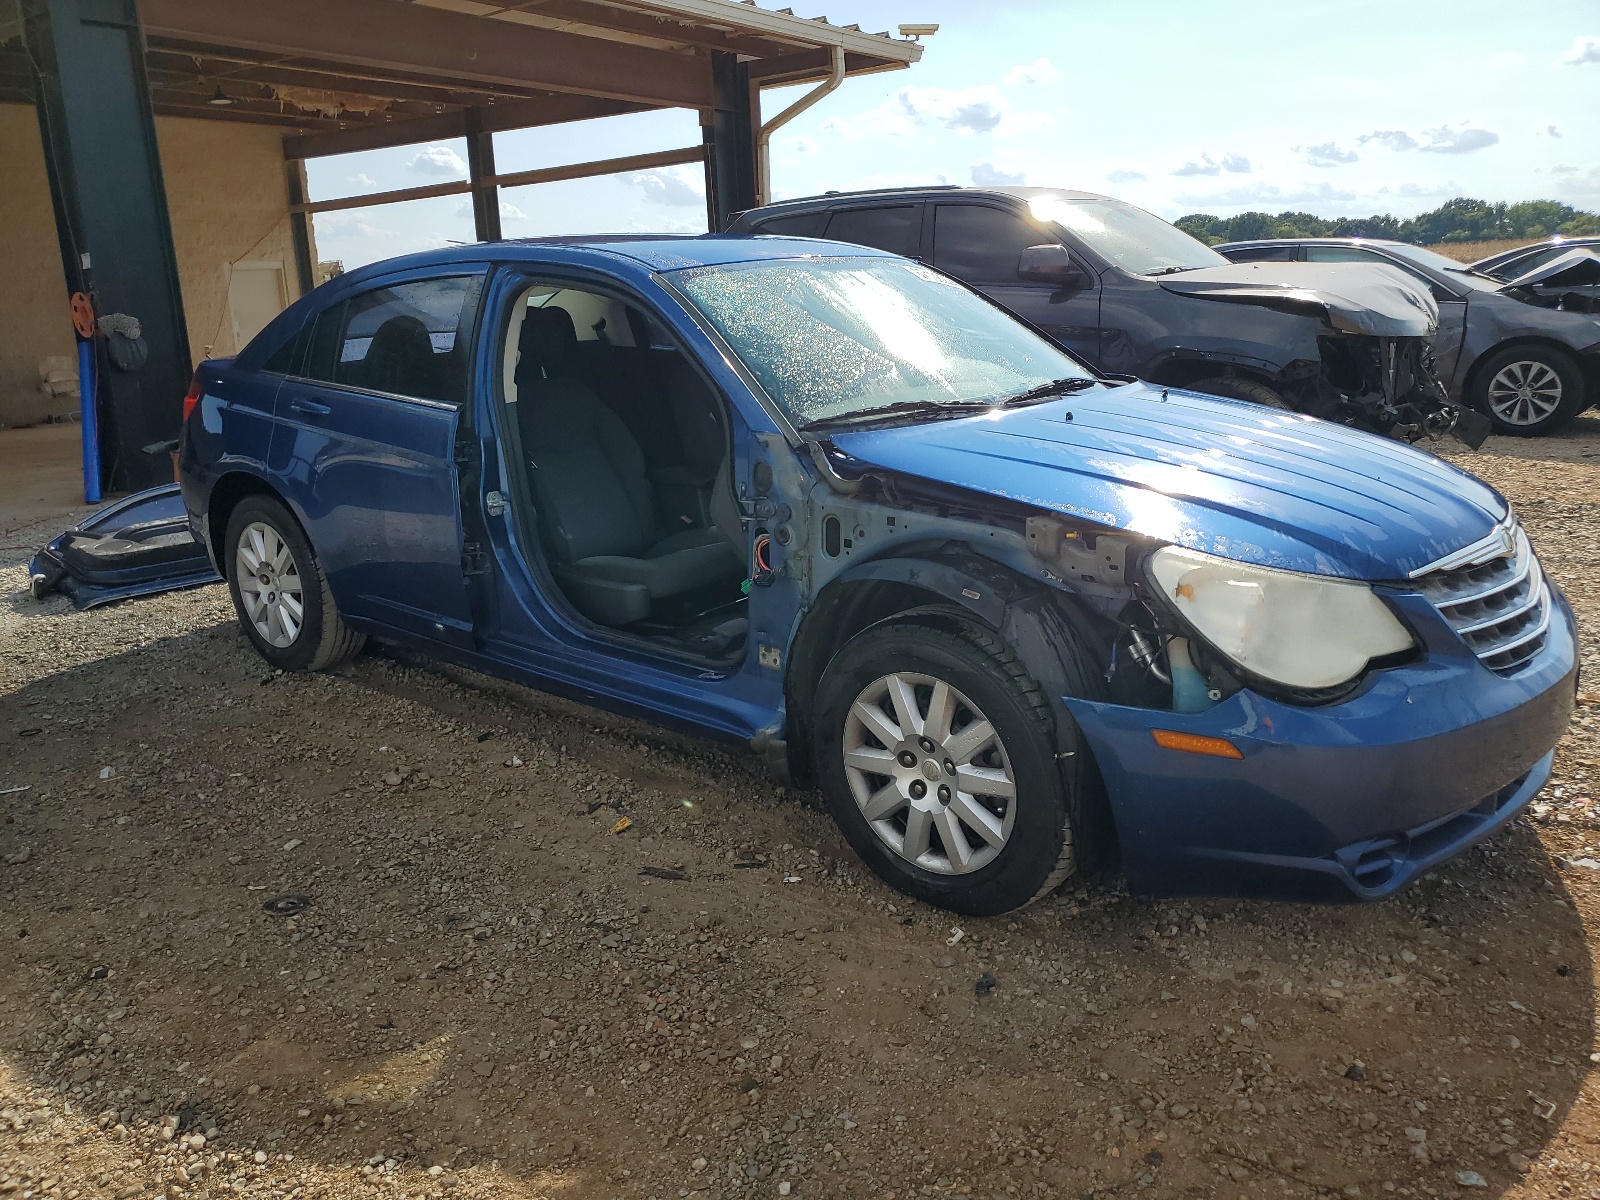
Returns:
(367, 449)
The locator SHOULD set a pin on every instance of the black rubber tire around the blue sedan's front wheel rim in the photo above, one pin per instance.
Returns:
(1046, 831)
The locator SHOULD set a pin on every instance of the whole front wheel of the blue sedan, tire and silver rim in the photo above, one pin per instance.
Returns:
(938, 759)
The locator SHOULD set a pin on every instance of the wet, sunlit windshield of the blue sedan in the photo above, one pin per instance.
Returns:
(834, 337)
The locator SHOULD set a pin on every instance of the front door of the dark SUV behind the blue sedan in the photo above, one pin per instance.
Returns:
(983, 246)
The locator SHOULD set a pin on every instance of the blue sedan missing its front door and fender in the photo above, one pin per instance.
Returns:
(1012, 617)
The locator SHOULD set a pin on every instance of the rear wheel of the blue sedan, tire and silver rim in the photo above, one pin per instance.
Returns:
(281, 593)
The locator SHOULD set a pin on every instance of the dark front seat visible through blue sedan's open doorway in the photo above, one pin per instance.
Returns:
(598, 514)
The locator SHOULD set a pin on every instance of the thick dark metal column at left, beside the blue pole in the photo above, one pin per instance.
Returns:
(111, 209)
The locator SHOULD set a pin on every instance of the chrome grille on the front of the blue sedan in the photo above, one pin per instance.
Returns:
(1495, 598)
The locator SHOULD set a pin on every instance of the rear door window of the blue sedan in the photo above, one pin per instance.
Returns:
(404, 340)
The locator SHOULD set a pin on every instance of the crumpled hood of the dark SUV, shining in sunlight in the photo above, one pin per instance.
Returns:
(1351, 297)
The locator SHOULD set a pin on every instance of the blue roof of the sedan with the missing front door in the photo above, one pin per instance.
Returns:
(652, 252)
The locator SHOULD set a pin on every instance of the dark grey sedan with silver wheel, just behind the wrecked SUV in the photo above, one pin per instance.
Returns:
(1526, 364)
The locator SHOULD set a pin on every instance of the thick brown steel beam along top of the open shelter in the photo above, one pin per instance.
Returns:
(438, 42)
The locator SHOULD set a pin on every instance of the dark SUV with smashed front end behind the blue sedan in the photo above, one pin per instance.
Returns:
(1135, 295)
